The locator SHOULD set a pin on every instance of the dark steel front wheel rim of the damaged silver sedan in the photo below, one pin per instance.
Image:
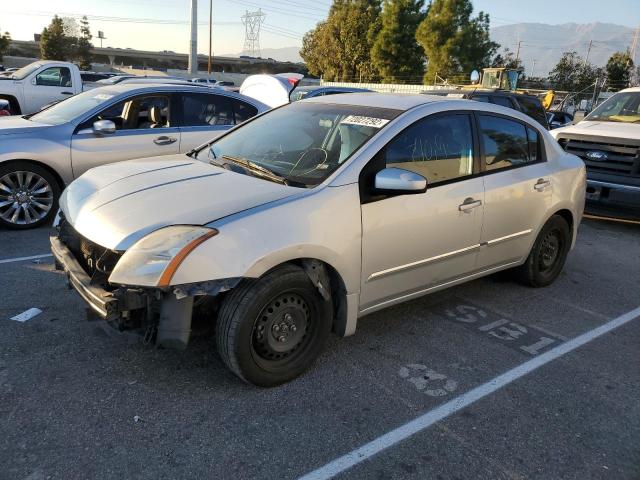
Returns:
(282, 330)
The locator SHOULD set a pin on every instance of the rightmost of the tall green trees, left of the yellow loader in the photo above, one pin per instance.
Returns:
(454, 42)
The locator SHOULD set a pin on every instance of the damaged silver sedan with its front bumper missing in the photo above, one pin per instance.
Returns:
(308, 217)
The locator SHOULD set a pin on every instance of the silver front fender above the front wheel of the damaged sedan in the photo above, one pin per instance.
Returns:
(324, 225)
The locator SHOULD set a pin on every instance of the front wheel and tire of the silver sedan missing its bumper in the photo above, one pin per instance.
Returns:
(251, 336)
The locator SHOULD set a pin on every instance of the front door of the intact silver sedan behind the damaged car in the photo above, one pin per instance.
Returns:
(144, 128)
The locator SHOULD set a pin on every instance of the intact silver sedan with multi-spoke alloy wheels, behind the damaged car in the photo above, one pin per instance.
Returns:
(41, 153)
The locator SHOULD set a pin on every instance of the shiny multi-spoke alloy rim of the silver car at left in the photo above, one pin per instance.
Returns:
(25, 197)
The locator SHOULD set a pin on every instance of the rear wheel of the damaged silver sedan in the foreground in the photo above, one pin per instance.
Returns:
(548, 255)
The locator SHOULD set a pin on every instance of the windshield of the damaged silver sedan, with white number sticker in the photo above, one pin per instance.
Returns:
(304, 143)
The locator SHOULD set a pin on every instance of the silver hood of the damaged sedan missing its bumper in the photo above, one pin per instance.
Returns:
(117, 204)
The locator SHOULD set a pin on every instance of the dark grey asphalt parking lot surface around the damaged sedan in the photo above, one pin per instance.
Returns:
(76, 402)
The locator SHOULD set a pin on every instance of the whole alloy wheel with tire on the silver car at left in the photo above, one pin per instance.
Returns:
(28, 195)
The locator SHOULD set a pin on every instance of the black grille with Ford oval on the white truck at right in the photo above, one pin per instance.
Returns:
(623, 159)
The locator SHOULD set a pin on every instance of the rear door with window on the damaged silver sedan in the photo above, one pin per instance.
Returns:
(518, 188)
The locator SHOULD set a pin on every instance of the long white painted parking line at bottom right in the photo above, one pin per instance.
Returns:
(431, 417)
